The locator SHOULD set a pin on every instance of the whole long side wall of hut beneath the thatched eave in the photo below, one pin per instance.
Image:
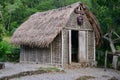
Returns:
(50, 55)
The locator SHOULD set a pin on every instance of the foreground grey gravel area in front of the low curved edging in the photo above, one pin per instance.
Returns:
(98, 73)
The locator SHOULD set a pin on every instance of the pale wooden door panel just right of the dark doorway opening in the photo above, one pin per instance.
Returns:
(82, 47)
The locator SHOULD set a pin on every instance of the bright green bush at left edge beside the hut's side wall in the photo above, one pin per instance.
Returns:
(8, 52)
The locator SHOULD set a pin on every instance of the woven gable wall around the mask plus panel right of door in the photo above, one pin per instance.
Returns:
(90, 36)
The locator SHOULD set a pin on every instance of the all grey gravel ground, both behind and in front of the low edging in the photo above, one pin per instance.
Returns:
(72, 74)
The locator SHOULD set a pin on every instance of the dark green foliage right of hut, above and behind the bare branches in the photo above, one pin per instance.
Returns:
(107, 13)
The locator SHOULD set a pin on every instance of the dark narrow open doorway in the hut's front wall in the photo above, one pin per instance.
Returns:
(74, 42)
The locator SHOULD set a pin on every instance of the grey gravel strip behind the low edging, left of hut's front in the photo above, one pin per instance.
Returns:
(15, 68)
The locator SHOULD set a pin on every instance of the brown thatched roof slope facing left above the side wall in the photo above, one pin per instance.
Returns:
(42, 27)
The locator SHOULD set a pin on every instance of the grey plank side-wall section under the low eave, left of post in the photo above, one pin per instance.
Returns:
(35, 55)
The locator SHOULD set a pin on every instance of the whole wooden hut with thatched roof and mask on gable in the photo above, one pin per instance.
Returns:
(59, 36)
